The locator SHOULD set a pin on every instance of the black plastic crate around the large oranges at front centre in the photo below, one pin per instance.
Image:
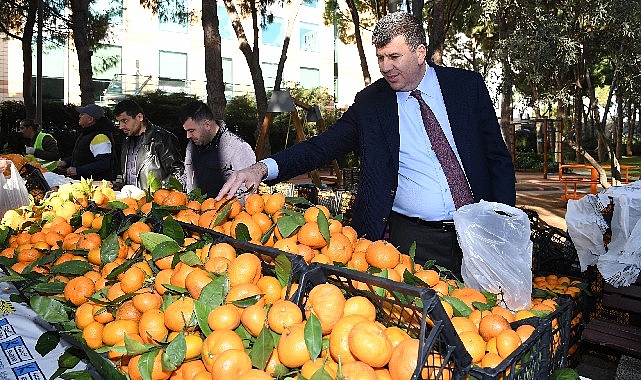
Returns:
(406, 306)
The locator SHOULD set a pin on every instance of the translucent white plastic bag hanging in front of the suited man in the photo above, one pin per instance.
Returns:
(497, 251)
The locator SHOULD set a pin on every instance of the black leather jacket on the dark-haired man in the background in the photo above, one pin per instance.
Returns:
(157, 153)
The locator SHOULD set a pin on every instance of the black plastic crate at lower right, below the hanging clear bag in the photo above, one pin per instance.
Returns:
(528, 361)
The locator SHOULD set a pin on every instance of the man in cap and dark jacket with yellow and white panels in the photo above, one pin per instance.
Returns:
(93, 156)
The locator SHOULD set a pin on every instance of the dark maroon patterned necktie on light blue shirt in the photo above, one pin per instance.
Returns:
(460, 189)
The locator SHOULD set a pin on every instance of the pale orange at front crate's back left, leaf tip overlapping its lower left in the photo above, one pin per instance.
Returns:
(327, 302)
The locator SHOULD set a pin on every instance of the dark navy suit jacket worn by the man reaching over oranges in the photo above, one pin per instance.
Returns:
(370, 126)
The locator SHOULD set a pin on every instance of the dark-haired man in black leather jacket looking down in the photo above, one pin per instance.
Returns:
(147, 148)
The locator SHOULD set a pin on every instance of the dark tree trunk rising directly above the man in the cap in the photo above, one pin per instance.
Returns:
(79, 22)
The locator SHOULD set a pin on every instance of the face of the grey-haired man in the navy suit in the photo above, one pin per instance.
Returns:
(402, 68)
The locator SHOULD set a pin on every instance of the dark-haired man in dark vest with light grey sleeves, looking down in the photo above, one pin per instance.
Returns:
(213, 152)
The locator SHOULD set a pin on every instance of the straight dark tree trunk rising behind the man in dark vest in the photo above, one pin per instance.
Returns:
(213, 59)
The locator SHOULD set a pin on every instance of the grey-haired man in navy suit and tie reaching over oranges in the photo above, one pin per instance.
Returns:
(403, 184)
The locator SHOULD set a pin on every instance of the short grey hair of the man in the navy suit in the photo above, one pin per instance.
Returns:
(399, 24)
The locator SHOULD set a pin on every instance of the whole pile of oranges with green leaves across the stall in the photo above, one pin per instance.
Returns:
(207, 311)
